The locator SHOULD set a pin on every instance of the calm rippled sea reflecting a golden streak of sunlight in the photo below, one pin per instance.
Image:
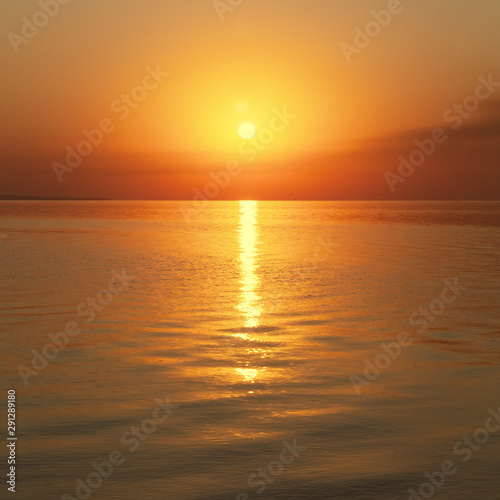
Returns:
(253, 319)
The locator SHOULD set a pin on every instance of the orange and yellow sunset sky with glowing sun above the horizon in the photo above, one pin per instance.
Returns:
(270, 99)
